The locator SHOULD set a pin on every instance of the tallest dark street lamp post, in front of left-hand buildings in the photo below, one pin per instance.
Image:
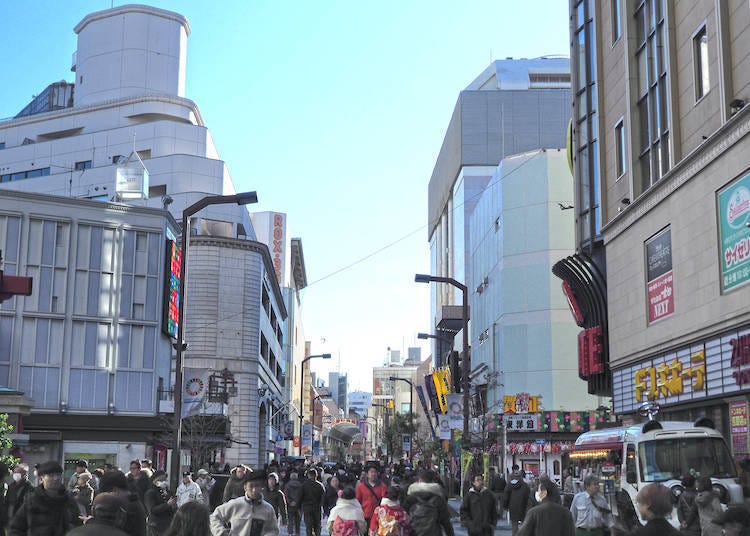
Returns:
(180, 345)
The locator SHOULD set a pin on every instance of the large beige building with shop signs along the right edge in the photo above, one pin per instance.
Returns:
(661, 173)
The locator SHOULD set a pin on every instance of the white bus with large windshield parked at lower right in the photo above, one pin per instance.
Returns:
(627, 458)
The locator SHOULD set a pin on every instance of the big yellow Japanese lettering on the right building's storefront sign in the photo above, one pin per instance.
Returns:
(668, 379)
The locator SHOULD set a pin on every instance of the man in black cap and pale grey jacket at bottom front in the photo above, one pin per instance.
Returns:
(248, 515)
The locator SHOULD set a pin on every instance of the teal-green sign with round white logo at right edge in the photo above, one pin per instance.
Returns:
(734, 235)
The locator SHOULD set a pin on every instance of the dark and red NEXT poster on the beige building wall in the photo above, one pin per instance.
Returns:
(659, 276)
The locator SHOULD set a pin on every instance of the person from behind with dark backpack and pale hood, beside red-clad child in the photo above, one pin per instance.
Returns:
(427, 507)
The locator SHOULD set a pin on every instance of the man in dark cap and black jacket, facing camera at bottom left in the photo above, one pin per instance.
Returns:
(49, 509)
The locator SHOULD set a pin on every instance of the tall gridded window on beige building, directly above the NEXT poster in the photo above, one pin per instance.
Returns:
(653, 105)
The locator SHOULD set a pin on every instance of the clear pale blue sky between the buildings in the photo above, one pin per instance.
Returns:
(334, 111)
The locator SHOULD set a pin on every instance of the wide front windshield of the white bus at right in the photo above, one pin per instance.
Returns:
(665, 459)
